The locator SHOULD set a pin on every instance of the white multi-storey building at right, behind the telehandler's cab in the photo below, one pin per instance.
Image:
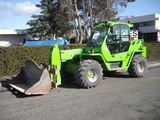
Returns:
(148, 26)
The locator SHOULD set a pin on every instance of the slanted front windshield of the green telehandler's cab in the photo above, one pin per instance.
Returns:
(97, 36)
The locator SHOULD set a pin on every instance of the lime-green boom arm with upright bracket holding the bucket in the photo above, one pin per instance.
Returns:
(57, 57)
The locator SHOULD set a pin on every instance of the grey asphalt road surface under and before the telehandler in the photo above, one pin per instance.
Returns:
(117, 97)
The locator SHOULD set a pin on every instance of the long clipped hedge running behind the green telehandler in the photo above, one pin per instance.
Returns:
(13, 58)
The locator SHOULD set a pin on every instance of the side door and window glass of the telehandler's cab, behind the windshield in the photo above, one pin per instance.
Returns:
(118, 38)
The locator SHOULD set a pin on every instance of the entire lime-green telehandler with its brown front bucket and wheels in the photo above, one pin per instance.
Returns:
(112, 46)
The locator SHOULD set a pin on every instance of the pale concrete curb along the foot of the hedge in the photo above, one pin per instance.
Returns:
(4, 80)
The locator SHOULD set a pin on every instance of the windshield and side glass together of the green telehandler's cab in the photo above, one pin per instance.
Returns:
(116, 37)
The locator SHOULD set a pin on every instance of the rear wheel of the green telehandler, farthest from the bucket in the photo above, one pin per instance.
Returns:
(138, 66)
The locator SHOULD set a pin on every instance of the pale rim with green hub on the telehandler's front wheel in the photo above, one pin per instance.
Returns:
(92, 76)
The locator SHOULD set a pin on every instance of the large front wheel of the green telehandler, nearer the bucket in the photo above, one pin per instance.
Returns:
(89, 74)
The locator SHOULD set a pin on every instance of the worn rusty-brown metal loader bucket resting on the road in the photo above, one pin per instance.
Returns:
(32, 80)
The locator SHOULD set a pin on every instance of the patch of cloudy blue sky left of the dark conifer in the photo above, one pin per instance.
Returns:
(14, 14)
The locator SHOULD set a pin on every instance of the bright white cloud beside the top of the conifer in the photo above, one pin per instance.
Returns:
(25, 8)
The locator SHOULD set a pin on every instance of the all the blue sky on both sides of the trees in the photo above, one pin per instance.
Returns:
(14, 14)
